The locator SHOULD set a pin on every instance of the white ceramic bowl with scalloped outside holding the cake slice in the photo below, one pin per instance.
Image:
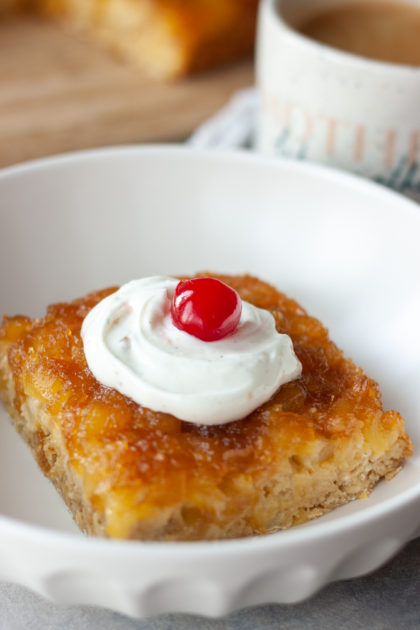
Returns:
(347, 249)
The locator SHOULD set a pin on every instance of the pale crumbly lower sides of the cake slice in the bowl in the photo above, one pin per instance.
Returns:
(44, 439)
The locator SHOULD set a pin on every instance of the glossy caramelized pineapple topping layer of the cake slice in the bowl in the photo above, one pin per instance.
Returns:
(137, 464)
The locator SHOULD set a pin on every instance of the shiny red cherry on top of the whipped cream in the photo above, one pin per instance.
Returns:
(206, 308)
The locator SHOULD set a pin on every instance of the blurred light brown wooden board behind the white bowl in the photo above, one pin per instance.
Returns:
(59, 92)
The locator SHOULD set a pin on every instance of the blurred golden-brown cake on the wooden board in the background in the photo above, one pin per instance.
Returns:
(168, 38)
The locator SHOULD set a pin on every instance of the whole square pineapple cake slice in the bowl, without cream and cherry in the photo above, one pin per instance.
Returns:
(126, 471)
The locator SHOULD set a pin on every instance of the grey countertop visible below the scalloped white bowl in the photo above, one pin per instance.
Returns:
(388, 599)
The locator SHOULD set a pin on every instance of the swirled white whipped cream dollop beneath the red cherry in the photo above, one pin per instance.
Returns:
(132, 345)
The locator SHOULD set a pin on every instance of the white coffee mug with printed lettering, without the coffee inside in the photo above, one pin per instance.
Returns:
(318, 103)
